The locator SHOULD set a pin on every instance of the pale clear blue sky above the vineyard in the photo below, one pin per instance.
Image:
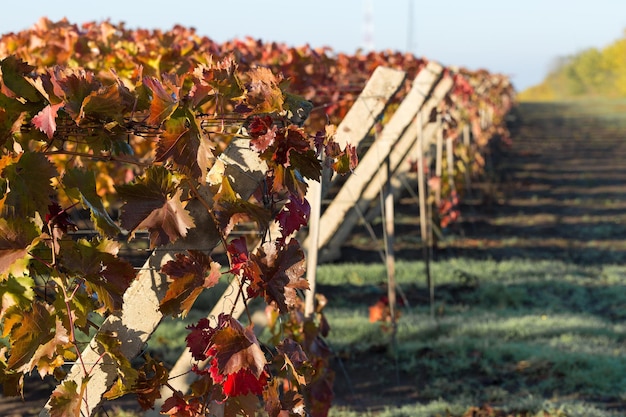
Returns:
(518, 38)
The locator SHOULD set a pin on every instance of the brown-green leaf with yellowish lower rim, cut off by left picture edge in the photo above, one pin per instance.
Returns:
(16, 237)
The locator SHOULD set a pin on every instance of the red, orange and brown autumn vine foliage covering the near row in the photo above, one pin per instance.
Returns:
(115, 131)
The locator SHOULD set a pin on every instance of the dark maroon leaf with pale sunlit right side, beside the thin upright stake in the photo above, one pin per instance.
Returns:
(281, 269)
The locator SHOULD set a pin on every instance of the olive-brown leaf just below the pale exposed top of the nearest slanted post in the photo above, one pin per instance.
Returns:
(230, 209)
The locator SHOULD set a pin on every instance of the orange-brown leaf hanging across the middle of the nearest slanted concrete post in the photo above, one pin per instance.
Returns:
(190, 275)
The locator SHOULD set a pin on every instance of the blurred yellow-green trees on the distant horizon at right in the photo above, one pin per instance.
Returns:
(589, 73)
